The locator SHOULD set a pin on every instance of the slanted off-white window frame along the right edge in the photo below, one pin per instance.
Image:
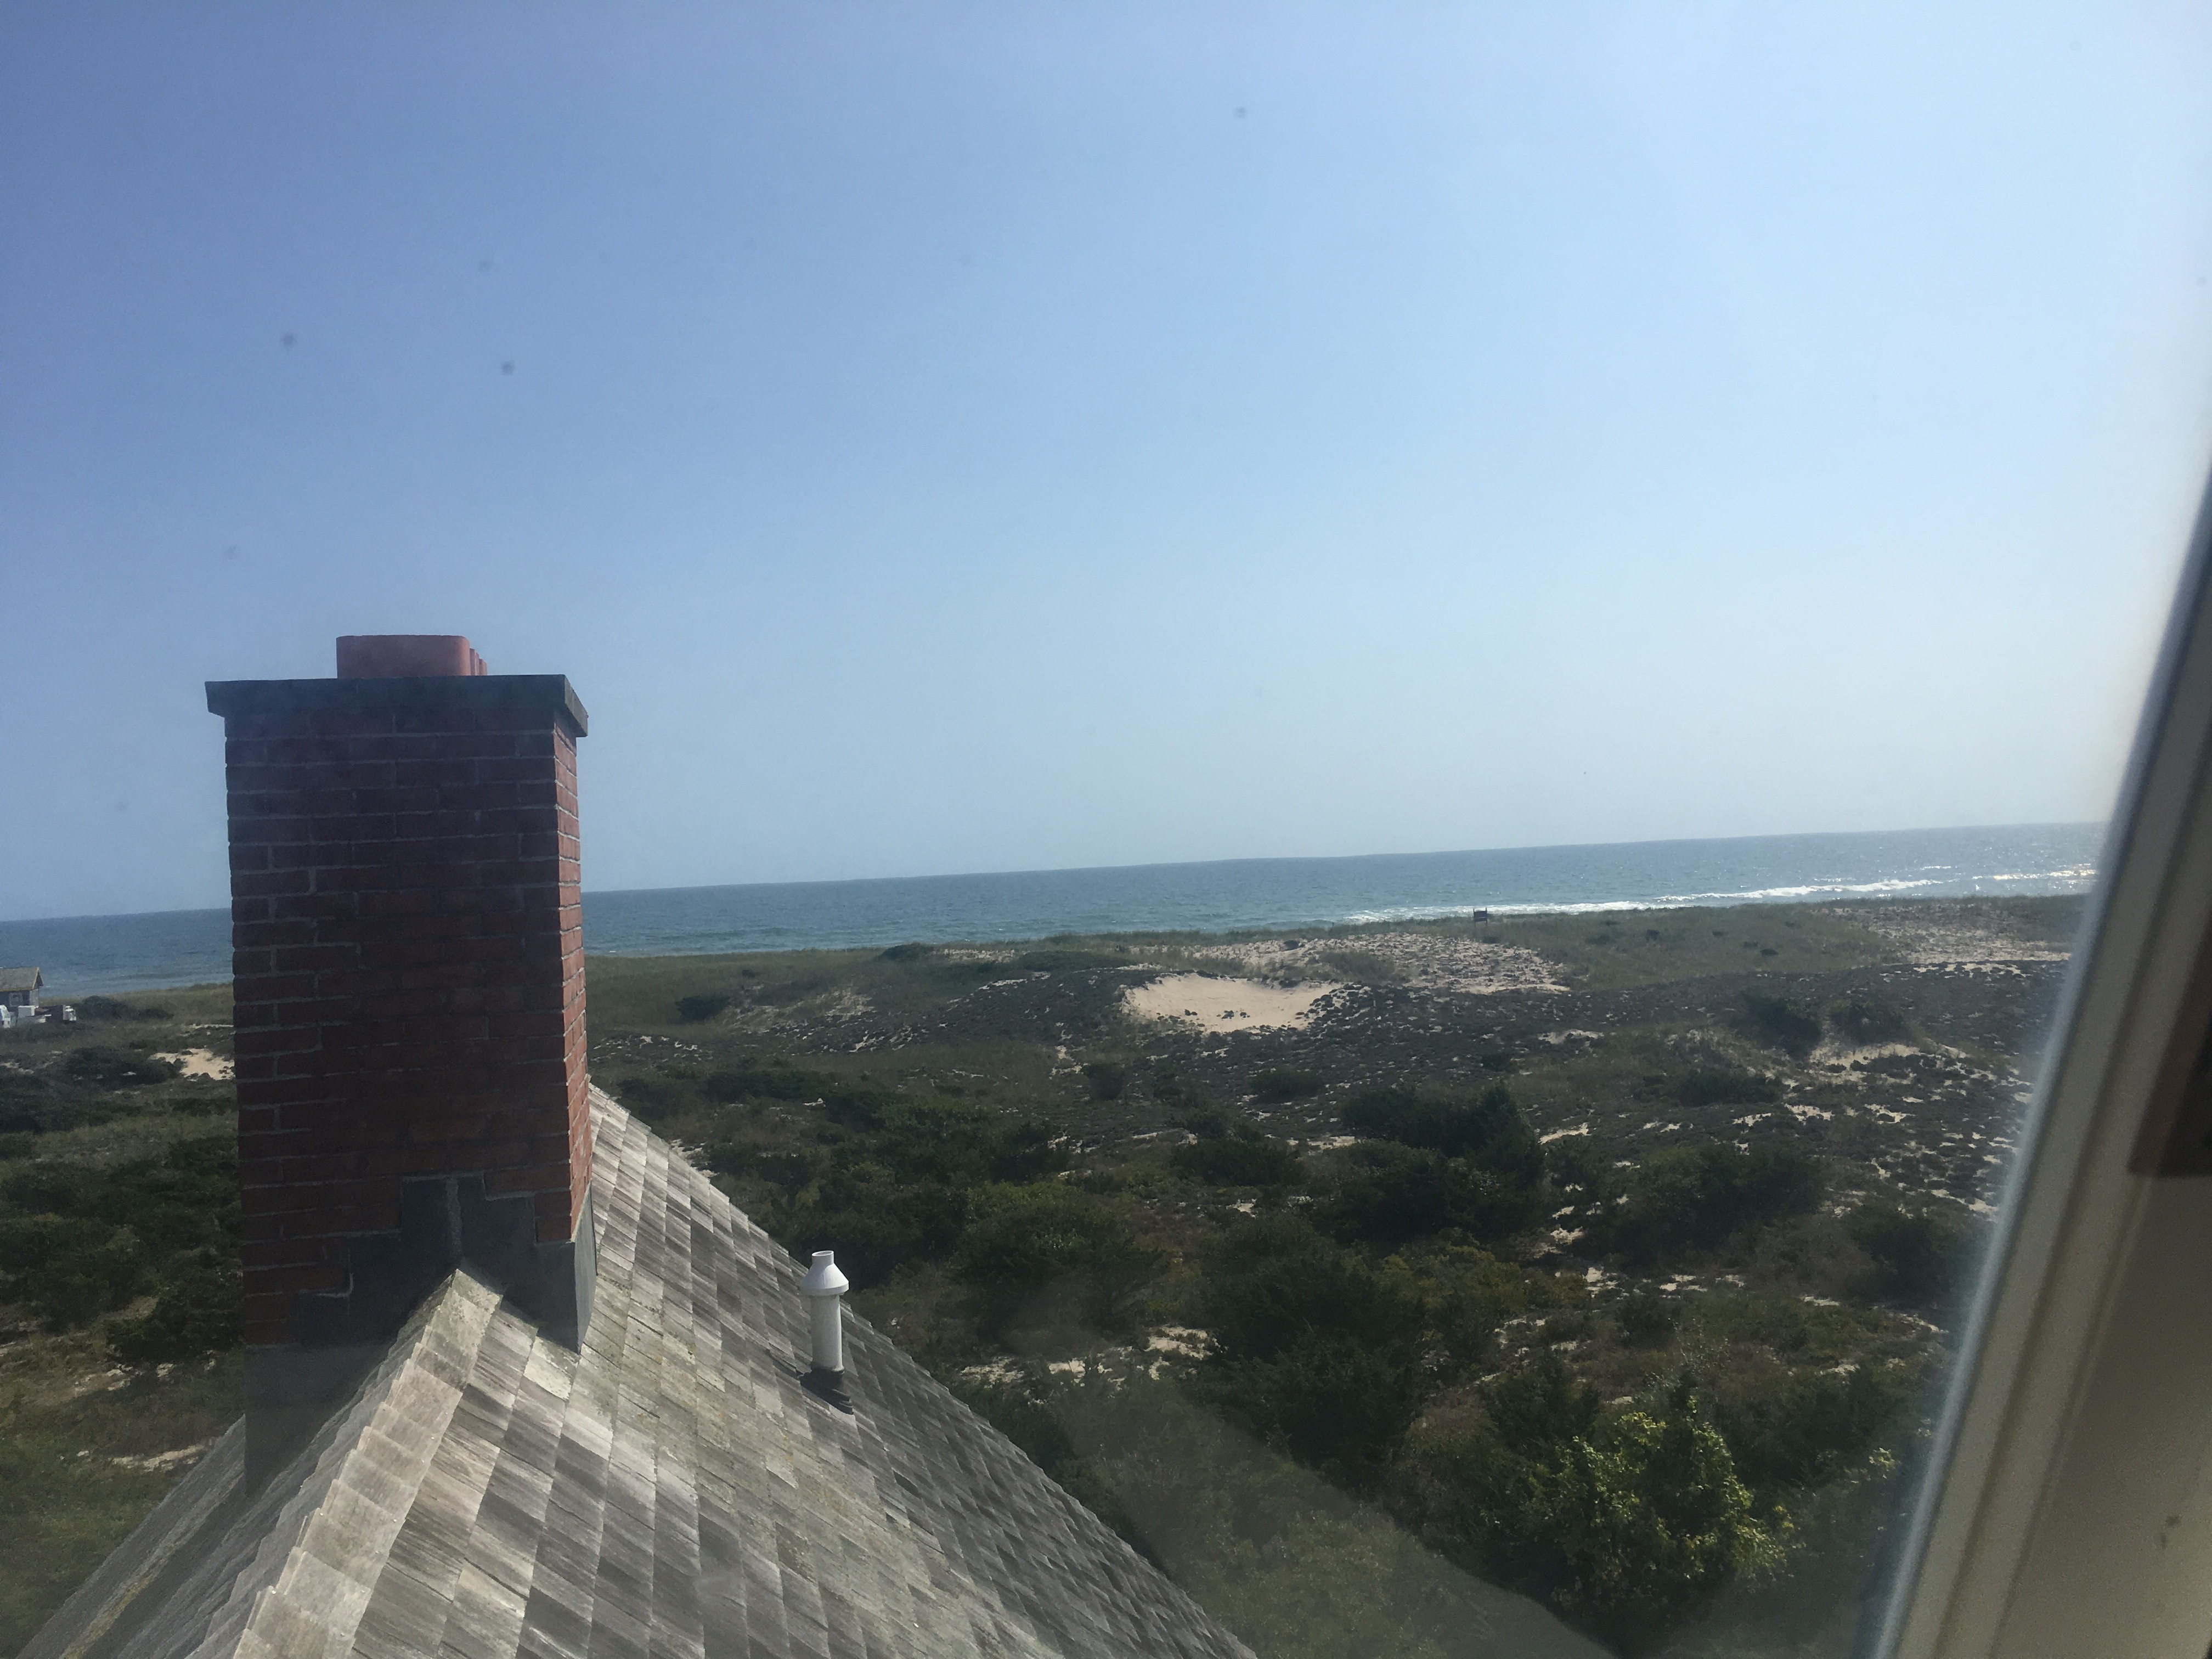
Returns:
(2069, 1494)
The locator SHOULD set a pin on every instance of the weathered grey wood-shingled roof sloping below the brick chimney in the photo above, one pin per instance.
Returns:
(669, 1490)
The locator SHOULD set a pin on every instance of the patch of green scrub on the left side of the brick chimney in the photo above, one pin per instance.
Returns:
(118, 1282)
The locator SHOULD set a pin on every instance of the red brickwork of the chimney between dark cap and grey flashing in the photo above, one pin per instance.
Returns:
(408, 966)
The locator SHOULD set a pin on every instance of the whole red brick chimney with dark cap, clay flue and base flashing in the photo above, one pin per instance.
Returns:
(410, 999)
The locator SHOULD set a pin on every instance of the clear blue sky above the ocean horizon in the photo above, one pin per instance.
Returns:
(988, 437)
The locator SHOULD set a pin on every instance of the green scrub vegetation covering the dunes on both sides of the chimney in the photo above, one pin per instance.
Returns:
(1627, 1297)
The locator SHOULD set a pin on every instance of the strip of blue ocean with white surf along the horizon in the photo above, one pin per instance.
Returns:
(194, 946)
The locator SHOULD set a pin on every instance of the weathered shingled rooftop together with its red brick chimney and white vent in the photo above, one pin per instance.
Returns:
(521, 1379)
